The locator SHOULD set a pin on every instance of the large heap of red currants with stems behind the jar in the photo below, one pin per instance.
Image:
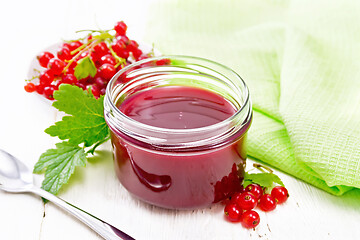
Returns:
(105, 53)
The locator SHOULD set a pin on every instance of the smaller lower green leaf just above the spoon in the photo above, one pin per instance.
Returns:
(59, 164)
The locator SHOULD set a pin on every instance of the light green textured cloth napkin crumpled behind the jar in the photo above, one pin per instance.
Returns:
(301, 61)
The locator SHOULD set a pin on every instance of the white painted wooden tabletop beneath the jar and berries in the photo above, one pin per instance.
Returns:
(29, 26)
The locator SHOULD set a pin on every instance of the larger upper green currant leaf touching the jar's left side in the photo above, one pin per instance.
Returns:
(86, 123)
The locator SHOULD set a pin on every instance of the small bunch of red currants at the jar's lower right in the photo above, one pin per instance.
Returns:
(240, 206)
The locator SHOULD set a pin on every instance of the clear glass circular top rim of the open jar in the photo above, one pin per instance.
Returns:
(245, 105)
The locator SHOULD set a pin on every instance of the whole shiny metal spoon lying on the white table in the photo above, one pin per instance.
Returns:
(15, 177)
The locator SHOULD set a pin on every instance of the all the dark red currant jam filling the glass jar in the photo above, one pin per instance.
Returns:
(174, 178)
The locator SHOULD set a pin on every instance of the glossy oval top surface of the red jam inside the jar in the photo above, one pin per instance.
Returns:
(177, 107)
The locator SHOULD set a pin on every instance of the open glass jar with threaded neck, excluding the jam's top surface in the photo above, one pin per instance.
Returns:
(179, 168)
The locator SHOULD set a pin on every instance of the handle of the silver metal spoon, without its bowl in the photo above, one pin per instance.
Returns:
(104, 229)
